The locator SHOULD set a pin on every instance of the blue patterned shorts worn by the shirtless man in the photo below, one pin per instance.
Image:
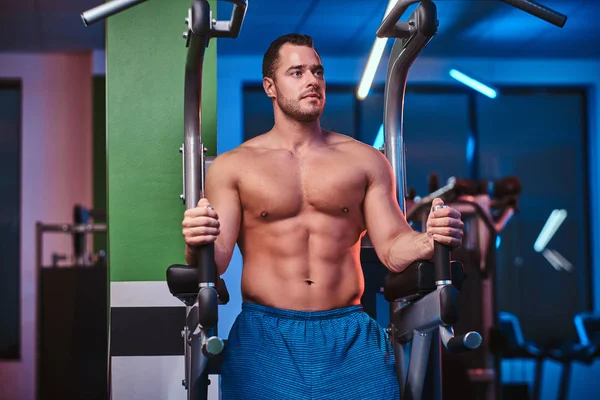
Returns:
(278, 354)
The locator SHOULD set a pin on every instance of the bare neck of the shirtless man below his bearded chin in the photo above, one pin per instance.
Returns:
(295, 135)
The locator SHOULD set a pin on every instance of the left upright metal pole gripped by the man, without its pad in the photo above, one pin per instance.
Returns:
(203, 339)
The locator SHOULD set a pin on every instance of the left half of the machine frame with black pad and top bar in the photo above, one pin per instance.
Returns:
(198, 287)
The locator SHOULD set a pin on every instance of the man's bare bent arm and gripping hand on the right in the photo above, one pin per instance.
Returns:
(397, 245)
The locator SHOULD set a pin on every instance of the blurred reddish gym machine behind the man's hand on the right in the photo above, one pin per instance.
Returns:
(486, 208)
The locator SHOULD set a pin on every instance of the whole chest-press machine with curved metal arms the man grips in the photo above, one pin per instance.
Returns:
(423, 299)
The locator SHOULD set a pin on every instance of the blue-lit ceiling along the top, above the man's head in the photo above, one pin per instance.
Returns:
(469, 28)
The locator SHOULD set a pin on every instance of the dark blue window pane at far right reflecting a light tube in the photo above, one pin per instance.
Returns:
(540, 138)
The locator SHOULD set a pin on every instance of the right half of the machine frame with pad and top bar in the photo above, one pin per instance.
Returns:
(422, 316)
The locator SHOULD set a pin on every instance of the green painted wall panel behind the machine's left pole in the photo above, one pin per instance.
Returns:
(145, 86)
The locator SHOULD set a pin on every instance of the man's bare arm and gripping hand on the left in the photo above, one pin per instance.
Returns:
(222, 194)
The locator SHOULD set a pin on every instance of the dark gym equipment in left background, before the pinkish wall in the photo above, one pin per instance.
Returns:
(72, 316)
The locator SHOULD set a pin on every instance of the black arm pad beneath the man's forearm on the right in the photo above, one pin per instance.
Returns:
(418, 280)
